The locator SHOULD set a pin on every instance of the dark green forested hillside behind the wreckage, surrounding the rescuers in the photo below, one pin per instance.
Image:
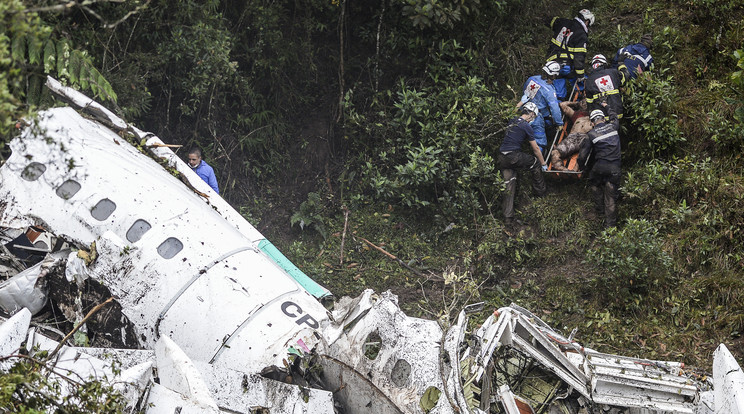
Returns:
(339, 126)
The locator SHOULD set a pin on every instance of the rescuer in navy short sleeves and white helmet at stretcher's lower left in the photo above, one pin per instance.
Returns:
(511, 158)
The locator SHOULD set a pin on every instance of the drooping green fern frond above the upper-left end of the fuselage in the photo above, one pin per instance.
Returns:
(57, 58)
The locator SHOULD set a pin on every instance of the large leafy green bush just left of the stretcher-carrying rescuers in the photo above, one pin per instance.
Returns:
(431, 148)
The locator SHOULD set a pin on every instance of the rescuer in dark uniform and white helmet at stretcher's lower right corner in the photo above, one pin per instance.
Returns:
(600, 156)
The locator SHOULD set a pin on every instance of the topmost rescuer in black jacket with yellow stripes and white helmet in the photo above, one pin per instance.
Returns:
(568, 48)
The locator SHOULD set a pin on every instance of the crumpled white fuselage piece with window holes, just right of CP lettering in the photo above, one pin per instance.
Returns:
(394, 379)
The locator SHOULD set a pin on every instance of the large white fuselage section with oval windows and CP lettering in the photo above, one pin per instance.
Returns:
(217, 289)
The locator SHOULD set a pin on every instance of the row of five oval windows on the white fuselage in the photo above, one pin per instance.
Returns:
(103, 210)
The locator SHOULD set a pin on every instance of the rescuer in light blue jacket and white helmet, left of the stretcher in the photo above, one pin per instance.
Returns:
(539, 89)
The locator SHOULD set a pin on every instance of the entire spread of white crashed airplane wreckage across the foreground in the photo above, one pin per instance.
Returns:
(208, 316)
